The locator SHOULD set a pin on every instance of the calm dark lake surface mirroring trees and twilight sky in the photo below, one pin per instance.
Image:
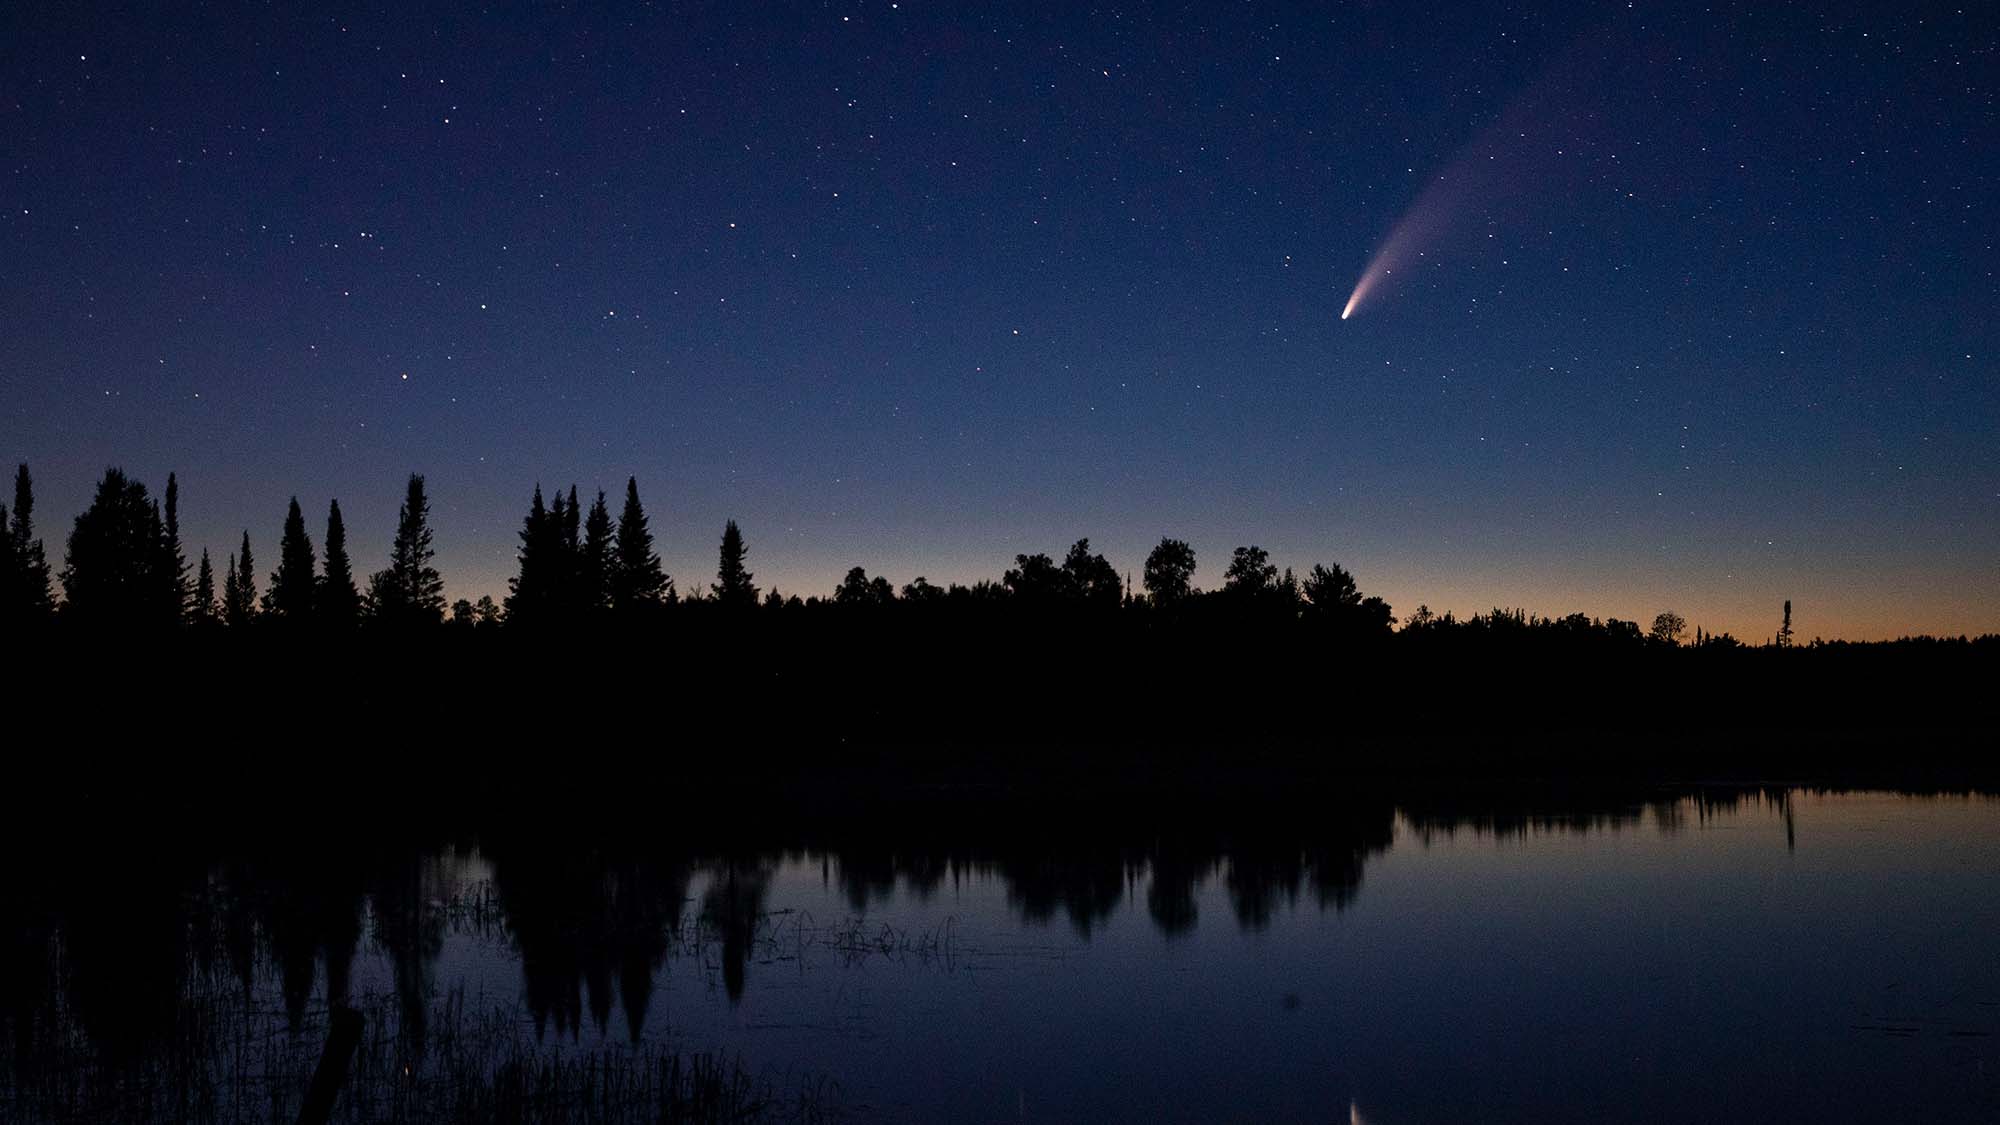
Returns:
(1683, 958)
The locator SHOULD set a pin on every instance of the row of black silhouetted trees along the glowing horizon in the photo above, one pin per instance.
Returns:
(125, 568)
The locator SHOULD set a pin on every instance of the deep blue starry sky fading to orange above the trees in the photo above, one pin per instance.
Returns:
(1693, 305)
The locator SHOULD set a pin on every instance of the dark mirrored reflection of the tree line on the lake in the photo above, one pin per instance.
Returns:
(597, 918)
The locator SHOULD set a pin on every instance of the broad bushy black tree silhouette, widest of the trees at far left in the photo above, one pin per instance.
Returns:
(113, 570)
